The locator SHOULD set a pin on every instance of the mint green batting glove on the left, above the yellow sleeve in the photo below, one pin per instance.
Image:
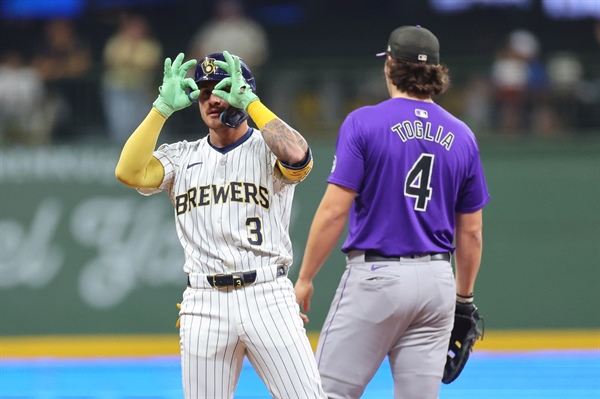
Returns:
(173, 94)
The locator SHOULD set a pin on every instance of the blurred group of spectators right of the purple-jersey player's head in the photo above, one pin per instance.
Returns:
(525, 92)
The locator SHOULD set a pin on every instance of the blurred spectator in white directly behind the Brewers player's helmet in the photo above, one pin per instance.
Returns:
(232, 30)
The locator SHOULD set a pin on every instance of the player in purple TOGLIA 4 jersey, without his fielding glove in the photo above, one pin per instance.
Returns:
(408, 178)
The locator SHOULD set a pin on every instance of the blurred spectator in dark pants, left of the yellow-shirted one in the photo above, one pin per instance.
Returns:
(63, 60)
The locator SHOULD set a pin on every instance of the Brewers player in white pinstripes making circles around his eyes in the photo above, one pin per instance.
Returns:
(232, 194)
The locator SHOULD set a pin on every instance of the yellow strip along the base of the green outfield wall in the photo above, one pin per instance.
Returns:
(168, 344)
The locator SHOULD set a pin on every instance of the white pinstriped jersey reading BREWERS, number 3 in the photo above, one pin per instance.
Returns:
(232, 213)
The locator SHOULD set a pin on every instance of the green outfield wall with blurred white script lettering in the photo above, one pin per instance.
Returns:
(81, 254)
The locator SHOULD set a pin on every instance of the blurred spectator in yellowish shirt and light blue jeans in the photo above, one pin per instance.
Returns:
(132, 58)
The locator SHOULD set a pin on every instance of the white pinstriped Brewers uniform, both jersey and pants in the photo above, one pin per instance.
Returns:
(232, 211)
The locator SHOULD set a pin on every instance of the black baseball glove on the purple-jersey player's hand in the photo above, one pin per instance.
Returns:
(464, 334)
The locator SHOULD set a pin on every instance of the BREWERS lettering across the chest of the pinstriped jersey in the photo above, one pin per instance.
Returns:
(211, 194)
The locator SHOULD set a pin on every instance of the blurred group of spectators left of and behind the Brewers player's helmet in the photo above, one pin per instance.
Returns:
(59, 94)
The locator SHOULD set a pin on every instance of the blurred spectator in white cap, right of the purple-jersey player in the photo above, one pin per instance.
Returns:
(519, 86)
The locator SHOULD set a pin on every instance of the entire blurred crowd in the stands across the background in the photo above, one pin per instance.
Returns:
(59, 92)
